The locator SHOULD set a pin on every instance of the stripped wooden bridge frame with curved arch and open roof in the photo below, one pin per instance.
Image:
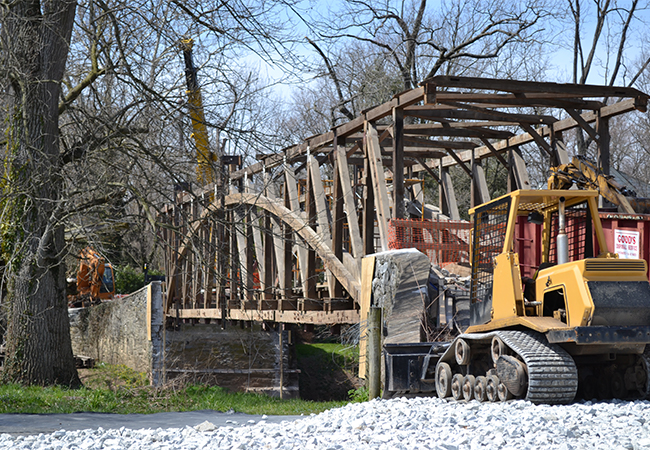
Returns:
(282, 240)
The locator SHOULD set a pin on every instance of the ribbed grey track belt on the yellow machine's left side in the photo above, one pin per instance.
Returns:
(552, 373)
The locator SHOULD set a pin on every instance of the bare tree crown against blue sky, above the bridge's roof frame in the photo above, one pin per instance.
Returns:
(420, 42)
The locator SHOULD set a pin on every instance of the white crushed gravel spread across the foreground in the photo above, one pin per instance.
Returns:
(420, 423)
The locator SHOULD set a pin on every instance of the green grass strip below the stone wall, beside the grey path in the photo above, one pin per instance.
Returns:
(117, 389)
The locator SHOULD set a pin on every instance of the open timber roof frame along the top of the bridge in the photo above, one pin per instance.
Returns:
(474, 108)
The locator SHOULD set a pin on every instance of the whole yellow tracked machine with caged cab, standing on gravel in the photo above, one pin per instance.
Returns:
(583, 319)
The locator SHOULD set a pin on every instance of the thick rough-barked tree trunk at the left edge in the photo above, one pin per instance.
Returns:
(36, 37)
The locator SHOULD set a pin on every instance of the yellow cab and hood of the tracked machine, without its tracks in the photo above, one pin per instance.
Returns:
(562, 296)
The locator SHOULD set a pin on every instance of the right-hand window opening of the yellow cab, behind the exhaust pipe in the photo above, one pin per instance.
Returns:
(579, 230)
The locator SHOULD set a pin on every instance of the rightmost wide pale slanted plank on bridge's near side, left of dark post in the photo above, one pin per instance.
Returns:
(378, 184)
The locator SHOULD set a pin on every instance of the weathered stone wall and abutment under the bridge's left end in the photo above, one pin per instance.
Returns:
(130, 331)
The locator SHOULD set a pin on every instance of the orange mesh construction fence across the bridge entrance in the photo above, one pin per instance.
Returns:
(444, 242)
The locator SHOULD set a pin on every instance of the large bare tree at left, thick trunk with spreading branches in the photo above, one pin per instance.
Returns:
(94, 103)
